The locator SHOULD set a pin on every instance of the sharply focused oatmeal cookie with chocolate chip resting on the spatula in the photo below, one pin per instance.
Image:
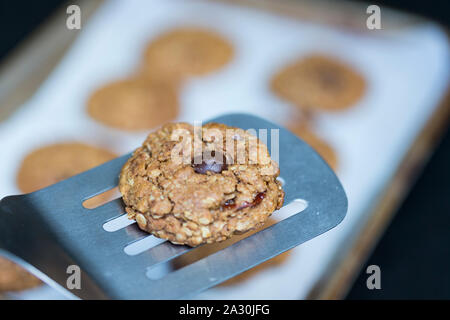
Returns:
(205, 194)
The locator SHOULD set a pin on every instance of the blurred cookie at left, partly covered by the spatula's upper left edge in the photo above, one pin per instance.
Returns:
(53, 163)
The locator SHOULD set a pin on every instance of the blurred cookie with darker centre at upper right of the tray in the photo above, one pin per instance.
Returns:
(319, 83)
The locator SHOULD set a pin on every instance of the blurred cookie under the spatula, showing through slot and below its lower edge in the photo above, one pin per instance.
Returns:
(209, 249)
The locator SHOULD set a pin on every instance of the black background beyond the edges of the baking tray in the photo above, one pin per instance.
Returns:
(414, 253)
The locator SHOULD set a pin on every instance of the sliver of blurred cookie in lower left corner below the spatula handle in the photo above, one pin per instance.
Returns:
(14, 278)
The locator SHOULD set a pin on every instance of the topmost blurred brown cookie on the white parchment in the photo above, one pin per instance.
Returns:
(186, 52)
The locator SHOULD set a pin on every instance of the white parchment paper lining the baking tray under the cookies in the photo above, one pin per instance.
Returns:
(407, 73)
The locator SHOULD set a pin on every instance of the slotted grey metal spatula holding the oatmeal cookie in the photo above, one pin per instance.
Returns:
(49, 230)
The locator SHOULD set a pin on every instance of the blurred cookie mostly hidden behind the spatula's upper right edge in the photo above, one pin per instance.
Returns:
(321, 146)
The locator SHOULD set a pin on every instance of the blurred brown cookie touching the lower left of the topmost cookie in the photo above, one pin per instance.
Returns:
(134, 104)
